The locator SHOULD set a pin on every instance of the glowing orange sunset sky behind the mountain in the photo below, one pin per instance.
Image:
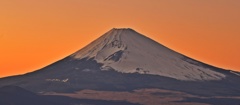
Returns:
(35, 33)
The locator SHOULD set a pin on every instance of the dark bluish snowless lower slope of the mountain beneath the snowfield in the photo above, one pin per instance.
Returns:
(89, 76)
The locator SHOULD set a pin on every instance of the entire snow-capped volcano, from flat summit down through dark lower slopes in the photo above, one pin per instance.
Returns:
(123, 60)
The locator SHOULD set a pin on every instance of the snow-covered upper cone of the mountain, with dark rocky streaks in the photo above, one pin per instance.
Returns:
(127, 51)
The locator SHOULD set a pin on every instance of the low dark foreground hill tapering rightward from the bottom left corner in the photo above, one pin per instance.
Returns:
(13, 95)
